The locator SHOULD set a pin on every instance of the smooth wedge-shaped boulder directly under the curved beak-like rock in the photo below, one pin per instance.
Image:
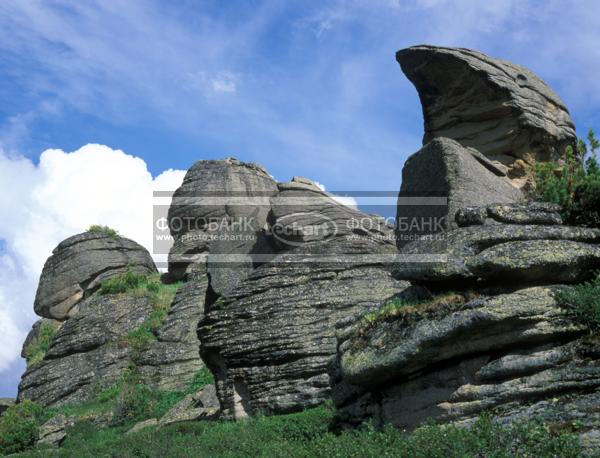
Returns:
(439, 180)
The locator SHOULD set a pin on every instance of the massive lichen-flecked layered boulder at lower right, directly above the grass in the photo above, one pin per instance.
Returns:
(517, 354)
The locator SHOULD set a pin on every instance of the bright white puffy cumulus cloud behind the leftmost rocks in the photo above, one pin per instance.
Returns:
(42, 204)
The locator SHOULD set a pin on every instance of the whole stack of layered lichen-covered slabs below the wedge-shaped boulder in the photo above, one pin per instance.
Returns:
(504, 344)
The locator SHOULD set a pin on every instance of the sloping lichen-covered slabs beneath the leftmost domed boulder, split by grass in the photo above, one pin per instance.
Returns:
(92, 350)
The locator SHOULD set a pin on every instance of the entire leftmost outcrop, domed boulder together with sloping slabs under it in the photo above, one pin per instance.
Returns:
(71, 361)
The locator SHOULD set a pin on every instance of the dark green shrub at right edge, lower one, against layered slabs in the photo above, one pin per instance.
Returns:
(583, 303)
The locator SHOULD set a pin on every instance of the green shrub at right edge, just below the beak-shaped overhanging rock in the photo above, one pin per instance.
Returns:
(574, 183)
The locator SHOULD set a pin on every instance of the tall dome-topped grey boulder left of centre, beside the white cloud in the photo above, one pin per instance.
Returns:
(221, 208)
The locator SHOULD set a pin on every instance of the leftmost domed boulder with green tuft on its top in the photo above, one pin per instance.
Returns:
(79, 264)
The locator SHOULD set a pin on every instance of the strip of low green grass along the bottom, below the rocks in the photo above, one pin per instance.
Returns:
(310, 434)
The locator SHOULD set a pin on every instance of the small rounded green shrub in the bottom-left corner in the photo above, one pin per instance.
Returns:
(19, 427)
